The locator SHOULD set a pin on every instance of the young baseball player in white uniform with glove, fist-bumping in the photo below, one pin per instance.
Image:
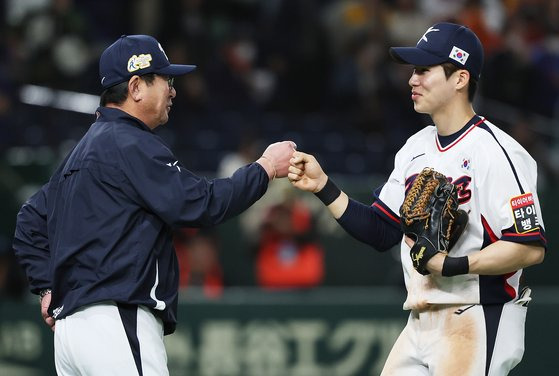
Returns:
(467, 316)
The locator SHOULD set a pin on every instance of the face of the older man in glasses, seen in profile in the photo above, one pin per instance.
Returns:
(158, 101)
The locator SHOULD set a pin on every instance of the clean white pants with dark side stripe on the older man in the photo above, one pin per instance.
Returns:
(106, 339)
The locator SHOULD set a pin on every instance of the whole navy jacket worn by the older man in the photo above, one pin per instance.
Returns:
(101, 228)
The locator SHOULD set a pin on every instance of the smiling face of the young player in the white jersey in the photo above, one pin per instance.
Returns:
(431, 91)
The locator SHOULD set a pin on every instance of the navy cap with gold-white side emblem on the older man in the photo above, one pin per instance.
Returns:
(136, 55)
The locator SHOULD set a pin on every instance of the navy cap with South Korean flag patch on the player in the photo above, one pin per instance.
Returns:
(441, 43)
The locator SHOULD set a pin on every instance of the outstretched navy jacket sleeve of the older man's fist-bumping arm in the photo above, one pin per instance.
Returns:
(181, 198)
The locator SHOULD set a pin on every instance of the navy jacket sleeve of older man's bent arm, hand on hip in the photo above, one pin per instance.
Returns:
(31, 244)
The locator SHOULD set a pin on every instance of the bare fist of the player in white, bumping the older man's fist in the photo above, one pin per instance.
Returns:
(306, 173)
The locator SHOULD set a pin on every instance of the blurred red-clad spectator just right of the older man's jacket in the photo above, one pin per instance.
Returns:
(199, 264)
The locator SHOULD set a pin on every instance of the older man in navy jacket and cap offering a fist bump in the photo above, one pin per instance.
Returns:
(95, 241)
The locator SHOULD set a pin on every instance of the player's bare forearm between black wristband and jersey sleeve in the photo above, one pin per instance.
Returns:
(504, 257)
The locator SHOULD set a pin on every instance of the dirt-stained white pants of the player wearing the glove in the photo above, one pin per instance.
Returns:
(459, 341)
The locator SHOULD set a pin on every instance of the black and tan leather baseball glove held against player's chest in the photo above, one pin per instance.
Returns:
(430, 216)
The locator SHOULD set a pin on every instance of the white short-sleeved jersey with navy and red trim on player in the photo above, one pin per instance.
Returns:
(497, 181)
